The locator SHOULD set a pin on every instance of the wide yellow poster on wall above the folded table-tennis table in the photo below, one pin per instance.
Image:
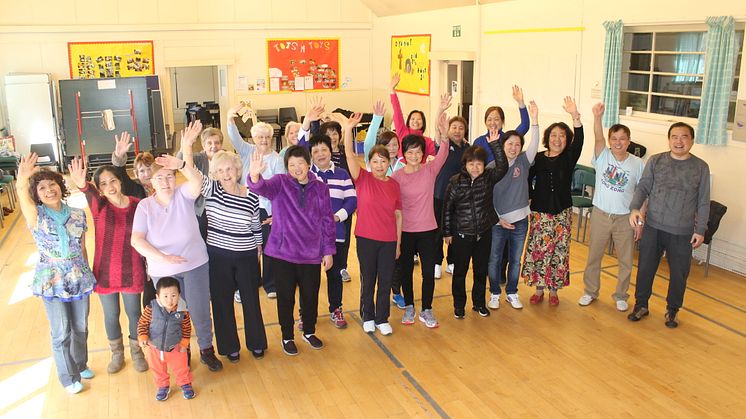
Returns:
(95, 60)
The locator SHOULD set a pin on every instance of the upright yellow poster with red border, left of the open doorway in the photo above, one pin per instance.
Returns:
(410, 57)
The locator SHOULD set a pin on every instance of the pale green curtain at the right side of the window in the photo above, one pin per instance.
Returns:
(720, 65)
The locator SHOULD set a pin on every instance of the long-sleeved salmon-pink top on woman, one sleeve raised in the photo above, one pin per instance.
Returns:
(417, 190)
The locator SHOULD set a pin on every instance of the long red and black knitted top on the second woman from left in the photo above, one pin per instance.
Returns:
(116, 264)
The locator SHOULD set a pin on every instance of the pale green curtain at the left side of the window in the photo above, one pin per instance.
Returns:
(612, 70)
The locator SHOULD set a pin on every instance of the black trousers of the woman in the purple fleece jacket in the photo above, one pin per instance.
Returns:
(289, 277)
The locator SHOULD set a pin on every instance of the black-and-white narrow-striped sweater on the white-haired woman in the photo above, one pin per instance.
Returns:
(232, 221)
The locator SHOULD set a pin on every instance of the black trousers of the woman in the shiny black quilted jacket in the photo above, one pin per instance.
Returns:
(474, 249)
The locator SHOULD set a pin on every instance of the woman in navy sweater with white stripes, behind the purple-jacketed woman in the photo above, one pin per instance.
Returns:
(344, 202)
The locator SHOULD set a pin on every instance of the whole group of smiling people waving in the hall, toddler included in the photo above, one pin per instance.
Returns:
(178, 255)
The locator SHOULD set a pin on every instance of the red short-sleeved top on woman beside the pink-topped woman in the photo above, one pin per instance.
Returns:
(377, 201)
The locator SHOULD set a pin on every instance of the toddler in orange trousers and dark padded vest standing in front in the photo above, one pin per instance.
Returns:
(163, 331)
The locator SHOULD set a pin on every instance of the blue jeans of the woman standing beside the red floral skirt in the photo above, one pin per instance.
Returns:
(515, 240)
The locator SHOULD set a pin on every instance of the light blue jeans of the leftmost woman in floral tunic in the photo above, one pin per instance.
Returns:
(68, 322)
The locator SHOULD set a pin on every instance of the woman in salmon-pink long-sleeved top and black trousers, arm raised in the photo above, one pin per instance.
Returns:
(419, 227)
